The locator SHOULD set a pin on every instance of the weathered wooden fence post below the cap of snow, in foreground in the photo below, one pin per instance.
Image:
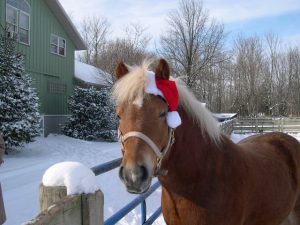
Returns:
(59, 209)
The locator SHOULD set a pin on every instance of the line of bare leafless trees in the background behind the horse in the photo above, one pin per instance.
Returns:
(257, 76)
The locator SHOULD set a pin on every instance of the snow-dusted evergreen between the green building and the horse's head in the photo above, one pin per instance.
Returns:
(93, 116)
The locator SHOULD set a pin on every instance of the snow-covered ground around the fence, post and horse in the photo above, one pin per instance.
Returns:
(22, 173)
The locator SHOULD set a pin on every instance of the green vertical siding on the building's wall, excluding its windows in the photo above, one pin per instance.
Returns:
(44, 66)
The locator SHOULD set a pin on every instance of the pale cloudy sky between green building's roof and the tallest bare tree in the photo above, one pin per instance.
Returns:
(150, 14)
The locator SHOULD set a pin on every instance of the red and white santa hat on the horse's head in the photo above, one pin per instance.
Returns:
(168, 90)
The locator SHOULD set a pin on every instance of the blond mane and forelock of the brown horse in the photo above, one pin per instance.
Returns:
(131, 88)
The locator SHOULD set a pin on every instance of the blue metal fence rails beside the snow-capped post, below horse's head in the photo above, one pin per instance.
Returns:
(140, 200)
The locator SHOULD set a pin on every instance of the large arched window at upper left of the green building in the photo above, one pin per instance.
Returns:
(18, 19)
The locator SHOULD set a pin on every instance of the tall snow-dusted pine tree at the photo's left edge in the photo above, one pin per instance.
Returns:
(19, 104)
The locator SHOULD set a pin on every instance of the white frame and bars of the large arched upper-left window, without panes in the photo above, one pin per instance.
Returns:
(17, 25)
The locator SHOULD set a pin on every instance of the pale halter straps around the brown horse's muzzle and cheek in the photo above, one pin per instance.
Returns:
(159, 154)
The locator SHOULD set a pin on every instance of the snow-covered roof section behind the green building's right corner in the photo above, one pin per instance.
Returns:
(91, 74)
